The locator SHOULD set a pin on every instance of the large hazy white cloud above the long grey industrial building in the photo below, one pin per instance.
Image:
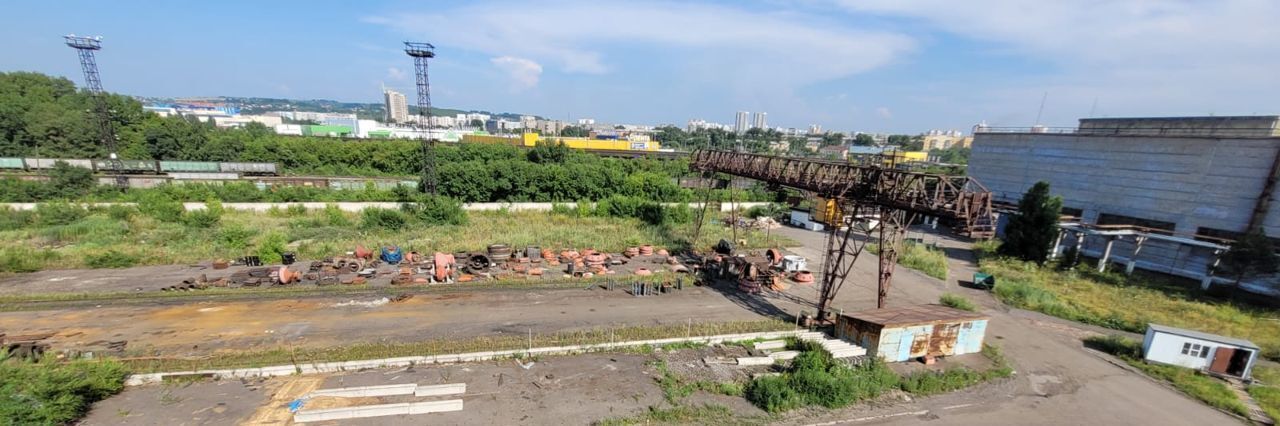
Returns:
(1150, 58)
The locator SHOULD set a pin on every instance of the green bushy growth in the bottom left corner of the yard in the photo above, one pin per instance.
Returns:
(54, 393)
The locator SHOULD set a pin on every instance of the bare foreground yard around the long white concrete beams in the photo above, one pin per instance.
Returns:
(570, 391)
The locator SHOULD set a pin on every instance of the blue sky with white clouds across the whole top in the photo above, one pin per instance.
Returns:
(876, 66)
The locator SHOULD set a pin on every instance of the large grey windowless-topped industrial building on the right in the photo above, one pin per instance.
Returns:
(1167, 195)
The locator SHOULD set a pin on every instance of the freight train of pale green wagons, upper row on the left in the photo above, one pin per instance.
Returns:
(144, 167)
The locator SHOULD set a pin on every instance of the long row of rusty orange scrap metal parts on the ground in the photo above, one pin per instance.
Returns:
(390, 265)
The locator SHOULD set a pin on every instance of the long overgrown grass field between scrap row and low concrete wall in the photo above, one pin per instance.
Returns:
(102, 235)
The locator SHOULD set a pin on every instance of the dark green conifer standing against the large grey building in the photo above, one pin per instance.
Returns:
(1031, 232)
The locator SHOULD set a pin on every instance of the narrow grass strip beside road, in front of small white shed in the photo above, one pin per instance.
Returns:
(1209, 391)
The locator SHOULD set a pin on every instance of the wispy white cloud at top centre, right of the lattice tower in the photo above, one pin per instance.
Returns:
(757, 51)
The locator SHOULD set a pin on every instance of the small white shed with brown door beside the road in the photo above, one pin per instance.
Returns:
(1200, 351)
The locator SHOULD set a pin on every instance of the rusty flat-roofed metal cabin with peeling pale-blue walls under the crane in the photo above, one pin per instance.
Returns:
(906, 333)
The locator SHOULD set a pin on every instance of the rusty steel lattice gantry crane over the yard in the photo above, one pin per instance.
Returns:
(875, 199)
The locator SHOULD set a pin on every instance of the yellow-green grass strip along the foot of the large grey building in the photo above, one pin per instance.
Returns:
(1109, 300)
